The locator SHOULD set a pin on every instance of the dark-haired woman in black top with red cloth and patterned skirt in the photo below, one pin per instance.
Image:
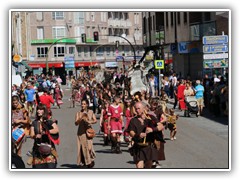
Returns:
(45, 133)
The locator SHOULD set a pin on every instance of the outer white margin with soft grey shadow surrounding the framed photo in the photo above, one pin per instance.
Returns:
(107, 4)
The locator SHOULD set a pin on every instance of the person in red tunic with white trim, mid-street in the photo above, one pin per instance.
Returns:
(115, 119)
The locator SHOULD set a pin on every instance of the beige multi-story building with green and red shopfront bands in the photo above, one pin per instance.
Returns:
(55, 40)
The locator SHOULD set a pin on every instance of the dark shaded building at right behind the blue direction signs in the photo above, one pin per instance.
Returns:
(180, 35)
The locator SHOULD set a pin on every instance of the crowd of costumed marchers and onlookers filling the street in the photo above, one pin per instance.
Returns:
(140, 119)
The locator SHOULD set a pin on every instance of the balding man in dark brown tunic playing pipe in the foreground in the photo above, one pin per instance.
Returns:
(144, 151)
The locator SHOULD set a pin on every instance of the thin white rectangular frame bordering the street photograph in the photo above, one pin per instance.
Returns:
(128, 10)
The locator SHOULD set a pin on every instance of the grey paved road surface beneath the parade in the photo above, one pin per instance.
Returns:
(201, 143)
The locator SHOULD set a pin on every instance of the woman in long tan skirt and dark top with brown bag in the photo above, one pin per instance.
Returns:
(84, 120)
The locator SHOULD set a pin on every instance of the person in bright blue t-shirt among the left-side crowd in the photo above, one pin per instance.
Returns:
(30, 97)
